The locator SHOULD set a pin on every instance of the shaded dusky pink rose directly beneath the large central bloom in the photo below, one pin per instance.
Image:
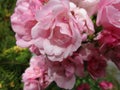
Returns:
(63, 73)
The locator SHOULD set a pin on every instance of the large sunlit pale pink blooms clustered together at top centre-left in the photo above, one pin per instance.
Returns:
(55, 27)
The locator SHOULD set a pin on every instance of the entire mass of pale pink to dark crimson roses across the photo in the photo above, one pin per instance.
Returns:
(57, 33)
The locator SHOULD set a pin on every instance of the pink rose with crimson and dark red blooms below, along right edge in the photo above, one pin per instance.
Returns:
(109, 38)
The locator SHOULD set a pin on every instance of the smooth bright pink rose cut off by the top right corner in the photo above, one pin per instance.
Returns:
(109, 14)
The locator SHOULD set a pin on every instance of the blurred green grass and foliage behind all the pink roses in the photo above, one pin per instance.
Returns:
(14, 60)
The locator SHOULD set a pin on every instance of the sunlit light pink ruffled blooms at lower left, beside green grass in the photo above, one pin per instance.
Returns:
(36, 76)
